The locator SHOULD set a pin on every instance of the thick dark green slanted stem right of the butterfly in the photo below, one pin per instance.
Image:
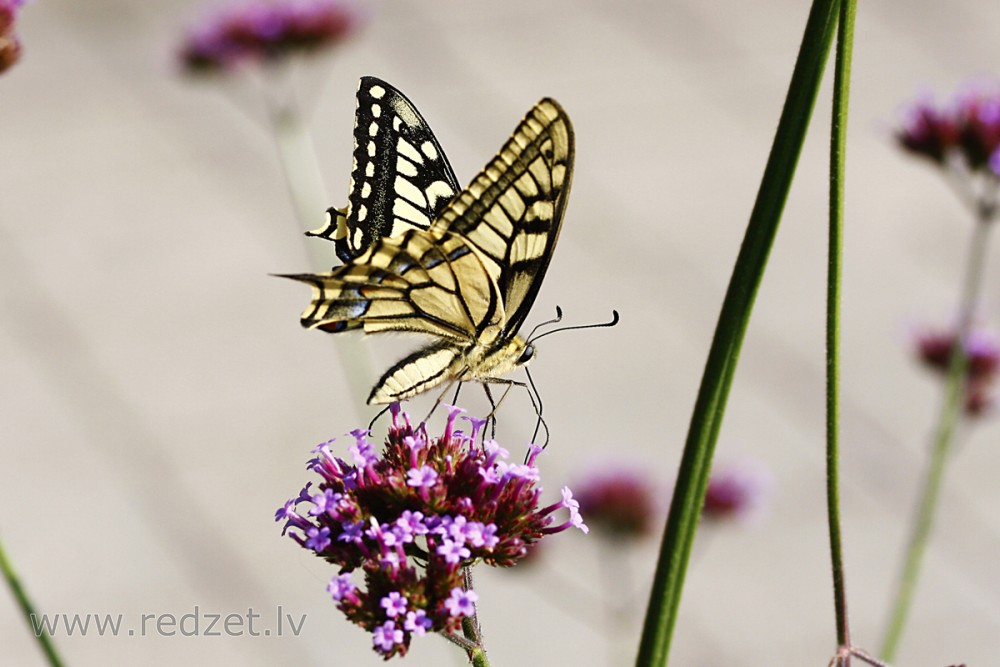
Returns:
(706, 419)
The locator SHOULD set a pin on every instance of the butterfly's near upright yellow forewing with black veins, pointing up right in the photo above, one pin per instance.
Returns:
(512, 211)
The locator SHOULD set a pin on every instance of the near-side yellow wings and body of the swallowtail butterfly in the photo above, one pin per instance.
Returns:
(469, 280)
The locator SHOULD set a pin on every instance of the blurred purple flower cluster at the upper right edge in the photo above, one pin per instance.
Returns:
(968, 128)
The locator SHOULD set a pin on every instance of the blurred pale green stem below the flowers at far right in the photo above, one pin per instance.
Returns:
(951, 407)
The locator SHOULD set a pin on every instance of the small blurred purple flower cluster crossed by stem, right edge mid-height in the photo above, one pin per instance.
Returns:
(982, 349)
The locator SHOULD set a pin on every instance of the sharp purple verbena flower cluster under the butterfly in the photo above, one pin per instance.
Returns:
(411, 518)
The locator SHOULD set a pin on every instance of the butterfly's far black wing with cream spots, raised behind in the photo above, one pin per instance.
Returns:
(400, 179)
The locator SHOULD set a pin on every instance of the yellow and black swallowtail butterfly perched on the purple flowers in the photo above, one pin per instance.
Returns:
(467, 270)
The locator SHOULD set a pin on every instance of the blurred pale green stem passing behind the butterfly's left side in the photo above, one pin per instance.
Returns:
(301, 170)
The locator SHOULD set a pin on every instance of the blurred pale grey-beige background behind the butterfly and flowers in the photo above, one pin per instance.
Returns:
(159, 398)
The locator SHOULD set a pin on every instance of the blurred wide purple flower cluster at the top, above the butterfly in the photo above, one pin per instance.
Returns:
(265, 32)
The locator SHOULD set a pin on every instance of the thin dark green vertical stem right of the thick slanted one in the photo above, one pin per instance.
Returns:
(838, 147)
